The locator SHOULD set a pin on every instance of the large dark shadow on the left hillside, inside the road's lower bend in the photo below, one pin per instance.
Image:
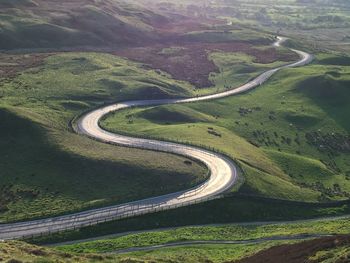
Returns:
(32, 167)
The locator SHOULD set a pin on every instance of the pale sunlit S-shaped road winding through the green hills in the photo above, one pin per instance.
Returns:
(223, 171)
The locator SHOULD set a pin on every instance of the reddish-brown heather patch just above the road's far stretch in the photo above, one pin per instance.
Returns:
(190, 62)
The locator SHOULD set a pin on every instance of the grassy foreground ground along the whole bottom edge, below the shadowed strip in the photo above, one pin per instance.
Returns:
(327, 249)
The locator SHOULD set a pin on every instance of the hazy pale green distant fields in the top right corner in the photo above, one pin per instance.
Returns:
(320, 24)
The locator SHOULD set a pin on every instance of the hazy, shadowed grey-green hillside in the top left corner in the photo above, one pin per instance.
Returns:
(51, 24)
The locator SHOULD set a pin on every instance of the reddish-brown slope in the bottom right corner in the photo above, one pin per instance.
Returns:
(300, 252)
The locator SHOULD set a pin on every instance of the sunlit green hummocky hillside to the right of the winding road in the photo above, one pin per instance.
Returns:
(288, 136)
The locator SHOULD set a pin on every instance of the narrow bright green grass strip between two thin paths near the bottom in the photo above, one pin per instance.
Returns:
(227, 232)
